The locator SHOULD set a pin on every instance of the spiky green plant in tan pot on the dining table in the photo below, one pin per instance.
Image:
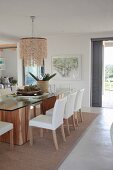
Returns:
(43, 82)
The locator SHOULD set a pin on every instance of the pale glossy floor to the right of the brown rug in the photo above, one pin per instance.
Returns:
(94, 151)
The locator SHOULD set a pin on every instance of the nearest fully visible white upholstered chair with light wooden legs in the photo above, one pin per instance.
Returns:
(50, 122)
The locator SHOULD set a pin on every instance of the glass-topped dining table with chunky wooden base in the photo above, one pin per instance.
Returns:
(16, 109)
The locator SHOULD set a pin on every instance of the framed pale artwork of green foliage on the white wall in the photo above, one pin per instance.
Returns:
(67, 67)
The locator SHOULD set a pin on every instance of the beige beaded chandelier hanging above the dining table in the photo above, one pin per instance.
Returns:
(33, 50)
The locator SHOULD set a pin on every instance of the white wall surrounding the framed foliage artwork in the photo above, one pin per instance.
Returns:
(74, 44)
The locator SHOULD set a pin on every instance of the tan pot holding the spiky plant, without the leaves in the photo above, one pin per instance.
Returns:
(43, 85)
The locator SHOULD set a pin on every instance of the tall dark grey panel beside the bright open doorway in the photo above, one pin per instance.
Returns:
(96, 90)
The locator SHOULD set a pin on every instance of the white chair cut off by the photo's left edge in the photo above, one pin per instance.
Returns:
(7, 127)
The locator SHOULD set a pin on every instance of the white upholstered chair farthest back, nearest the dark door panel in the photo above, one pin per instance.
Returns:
(78, 104)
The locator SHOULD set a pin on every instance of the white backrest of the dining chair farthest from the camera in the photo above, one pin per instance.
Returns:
(78, 101)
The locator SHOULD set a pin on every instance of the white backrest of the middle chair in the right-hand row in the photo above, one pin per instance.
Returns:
(69, 109)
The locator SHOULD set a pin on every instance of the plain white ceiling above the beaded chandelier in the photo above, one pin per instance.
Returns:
(54, 17)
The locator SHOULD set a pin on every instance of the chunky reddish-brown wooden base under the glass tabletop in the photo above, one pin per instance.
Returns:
(20, 119)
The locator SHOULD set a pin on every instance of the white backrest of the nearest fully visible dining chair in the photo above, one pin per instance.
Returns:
(58, 112)
